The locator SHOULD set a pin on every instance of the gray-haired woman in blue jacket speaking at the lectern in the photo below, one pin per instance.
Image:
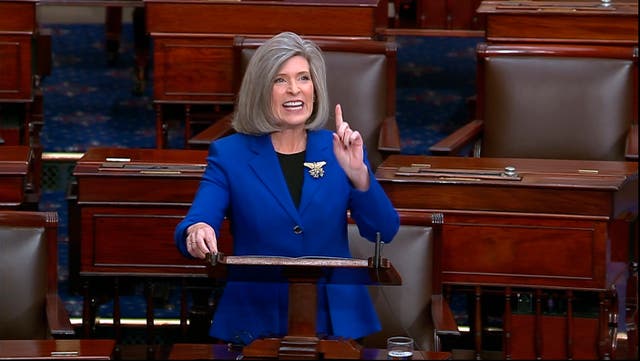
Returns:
(287, 186)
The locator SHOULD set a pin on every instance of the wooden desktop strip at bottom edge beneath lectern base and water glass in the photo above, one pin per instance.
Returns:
(190, 351)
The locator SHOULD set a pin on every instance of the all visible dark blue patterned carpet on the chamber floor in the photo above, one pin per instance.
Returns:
(88, 103)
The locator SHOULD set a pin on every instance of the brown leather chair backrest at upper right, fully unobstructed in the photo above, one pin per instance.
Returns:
(556, 101)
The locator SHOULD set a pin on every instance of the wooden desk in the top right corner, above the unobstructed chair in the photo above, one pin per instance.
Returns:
(586, 21)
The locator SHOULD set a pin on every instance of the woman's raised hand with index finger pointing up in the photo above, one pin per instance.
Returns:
(348, 147)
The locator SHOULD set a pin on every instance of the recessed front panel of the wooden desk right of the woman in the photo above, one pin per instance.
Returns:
(524, 251)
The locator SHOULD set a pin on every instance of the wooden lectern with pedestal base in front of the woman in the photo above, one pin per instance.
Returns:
(301, 341)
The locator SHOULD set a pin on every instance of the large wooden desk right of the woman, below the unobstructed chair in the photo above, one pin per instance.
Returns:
(556, 225)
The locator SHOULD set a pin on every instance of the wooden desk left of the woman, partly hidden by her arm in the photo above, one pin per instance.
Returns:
(121, 225)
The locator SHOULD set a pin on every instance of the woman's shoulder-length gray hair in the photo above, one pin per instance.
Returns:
(253, 113)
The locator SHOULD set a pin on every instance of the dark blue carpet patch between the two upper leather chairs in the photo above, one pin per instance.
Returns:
(436, 77)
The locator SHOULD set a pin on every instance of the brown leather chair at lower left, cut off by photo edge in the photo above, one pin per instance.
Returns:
(30, 307)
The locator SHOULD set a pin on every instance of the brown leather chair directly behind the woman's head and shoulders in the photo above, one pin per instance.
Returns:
(361, 76)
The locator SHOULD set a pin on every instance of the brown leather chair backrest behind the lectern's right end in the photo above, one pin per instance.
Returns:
(404, 309)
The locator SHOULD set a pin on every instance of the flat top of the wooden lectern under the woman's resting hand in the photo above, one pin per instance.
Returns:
(322, 269)
